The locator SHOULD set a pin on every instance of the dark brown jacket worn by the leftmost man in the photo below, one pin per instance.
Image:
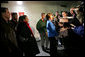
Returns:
(8, 43)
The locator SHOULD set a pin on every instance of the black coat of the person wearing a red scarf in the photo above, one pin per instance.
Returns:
(26, 42)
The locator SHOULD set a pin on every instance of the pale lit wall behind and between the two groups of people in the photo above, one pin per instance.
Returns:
(33, 10)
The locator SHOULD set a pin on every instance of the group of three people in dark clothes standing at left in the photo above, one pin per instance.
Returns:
(17, 38)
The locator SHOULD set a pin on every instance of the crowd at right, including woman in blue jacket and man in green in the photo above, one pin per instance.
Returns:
(66, 28)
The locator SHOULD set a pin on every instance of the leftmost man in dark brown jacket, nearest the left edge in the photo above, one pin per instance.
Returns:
(8, 43)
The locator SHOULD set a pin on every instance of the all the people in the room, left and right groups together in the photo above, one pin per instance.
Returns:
(17, 37)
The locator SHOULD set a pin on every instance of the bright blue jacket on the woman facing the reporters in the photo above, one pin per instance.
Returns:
(51, 29)
